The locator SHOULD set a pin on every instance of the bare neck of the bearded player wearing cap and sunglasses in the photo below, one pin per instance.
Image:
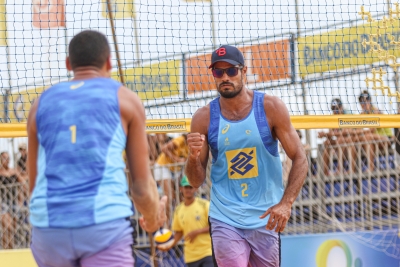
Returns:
(238, 107)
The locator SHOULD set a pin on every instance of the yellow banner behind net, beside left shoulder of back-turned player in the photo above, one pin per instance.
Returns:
(19, 103)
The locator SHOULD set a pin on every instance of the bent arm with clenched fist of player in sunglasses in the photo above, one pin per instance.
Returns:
(196, 164)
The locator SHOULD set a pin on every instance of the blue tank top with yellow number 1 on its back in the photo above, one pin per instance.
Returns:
(80, 179)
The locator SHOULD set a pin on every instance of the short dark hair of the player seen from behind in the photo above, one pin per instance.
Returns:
(88, 48)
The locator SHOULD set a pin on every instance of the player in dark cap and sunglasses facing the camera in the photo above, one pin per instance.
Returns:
(242, 128)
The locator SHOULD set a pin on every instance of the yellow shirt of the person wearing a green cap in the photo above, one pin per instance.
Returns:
(188, 219)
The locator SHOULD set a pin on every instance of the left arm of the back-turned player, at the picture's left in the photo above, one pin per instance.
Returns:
(33, 146)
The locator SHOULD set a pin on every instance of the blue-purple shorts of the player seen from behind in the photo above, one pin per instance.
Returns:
(102, 245)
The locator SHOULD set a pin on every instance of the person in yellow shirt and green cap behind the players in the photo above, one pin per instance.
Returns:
(191, 222)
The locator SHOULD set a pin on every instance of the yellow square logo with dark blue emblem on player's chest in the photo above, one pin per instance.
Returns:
(242, 163)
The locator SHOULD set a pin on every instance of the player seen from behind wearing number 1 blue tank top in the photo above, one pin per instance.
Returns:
(77, 130)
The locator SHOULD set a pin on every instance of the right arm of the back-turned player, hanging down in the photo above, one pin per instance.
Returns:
(144, 189)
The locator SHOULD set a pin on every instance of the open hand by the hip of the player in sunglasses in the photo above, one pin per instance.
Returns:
(279, 214)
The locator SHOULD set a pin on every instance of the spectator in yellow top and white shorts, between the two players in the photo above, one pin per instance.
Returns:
(168, 167)
